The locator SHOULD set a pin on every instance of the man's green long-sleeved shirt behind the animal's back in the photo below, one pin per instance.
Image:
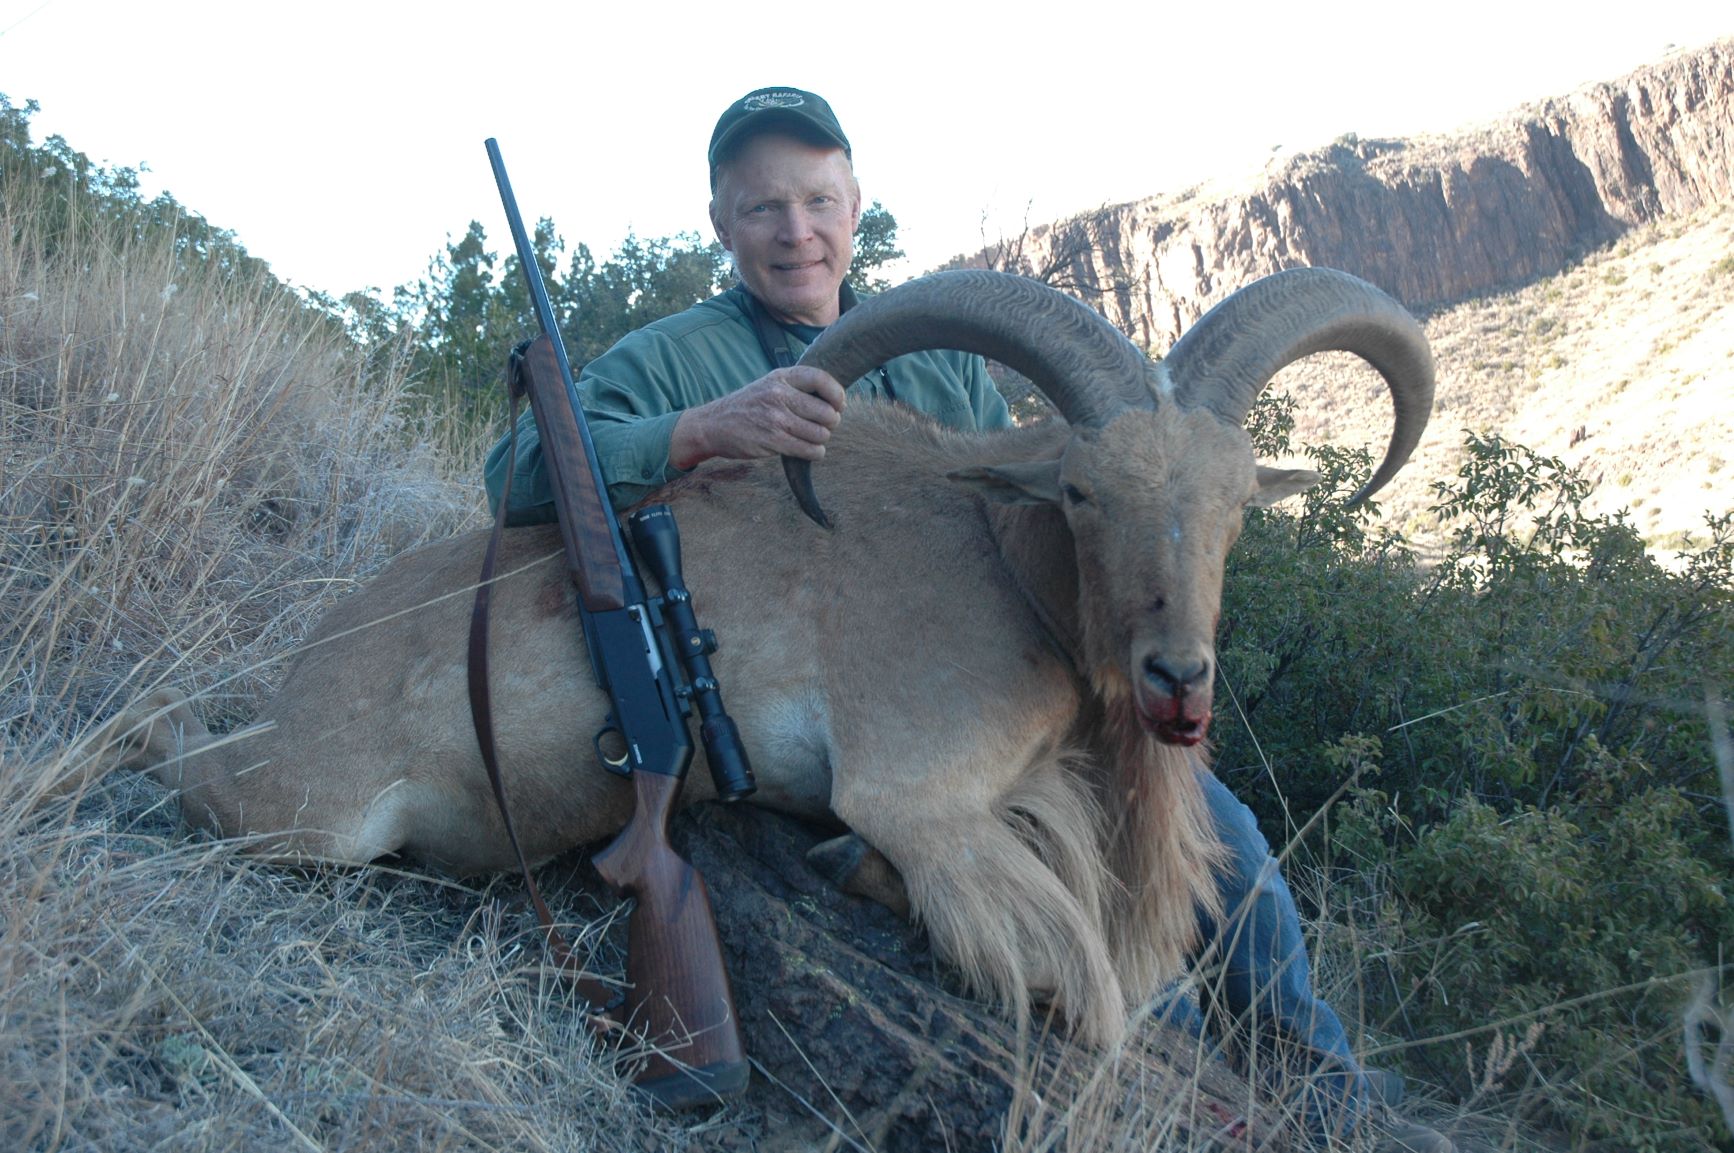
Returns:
(636, 391)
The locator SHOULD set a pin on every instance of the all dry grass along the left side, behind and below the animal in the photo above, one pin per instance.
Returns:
(195, 466)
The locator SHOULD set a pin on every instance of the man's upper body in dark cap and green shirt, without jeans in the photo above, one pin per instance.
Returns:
(720, 379)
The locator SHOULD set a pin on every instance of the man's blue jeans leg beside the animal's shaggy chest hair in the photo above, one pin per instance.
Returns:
(1256, 970)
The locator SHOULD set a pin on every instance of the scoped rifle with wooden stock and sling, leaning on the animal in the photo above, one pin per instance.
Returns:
(679, 996)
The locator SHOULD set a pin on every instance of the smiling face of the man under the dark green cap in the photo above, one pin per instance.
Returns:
(788, 211)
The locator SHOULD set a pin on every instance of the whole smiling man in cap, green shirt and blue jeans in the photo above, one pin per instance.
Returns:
(719, 381)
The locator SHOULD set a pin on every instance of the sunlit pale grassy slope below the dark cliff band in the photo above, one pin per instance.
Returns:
(1622, 367)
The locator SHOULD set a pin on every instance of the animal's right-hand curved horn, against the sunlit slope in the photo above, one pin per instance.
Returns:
(1227, 360)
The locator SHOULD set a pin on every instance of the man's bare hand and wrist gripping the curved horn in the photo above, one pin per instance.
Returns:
(788, 412)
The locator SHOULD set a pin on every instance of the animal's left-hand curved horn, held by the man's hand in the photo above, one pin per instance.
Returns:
(1079, 362)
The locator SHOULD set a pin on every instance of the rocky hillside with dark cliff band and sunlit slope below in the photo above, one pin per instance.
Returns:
(1575, 261)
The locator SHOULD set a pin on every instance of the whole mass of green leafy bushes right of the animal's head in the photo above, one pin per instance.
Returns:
(1539, 809)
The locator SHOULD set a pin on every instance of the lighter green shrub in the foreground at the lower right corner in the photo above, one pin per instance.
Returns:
(1579, 928)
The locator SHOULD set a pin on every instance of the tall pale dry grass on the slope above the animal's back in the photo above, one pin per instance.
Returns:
(195, 467)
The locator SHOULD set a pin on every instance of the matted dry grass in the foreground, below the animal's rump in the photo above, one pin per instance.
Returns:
(176, 994)
